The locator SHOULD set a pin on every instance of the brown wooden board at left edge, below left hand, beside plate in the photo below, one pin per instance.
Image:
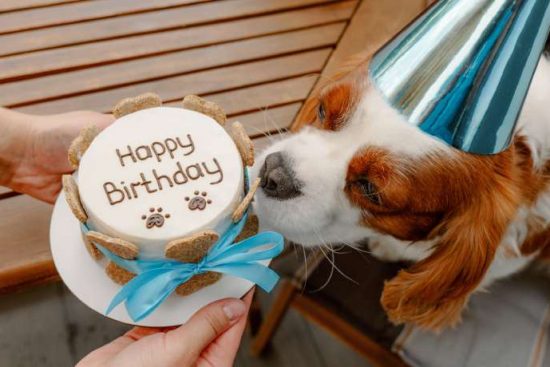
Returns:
(24, 244)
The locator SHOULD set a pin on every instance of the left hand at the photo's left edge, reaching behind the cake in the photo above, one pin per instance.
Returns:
(34, 155)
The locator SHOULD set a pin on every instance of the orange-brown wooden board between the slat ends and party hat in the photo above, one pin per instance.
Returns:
(373, 24)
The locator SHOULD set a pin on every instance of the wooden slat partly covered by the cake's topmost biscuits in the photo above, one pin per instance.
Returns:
(205, 82)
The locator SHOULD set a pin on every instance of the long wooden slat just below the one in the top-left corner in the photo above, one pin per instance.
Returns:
(144, 23)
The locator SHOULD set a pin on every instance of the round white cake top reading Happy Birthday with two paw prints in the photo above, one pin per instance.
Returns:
(159, 174)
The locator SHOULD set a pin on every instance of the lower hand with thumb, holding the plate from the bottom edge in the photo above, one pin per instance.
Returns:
(210, 338)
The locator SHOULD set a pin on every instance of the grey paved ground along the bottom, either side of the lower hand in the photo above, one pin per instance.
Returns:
(47, 326)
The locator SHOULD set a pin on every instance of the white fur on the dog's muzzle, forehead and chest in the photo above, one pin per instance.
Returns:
(320, 160)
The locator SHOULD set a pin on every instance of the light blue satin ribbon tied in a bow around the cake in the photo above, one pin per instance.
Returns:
(155, 280)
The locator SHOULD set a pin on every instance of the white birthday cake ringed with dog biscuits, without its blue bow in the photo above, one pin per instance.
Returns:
(160, 183)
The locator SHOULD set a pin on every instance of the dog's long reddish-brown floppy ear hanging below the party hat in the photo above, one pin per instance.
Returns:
(433, 292)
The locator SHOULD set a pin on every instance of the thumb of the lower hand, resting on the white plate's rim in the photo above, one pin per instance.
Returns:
(188, 341)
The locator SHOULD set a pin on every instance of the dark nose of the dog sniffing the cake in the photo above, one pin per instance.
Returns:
(277, 178)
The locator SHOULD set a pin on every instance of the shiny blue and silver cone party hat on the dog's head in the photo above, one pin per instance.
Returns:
(462, 70)
